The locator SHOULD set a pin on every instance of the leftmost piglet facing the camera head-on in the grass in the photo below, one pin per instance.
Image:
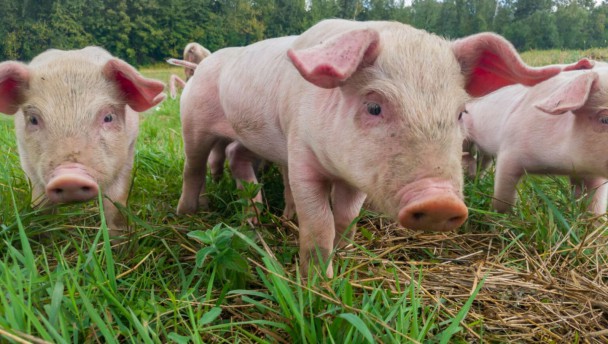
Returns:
(76, 122)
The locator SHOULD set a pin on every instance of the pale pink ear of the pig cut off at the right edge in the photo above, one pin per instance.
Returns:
(569, 97)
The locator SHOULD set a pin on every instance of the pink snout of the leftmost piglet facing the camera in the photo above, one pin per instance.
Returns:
(70, 184)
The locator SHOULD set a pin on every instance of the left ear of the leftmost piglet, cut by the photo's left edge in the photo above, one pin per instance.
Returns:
(14, 79)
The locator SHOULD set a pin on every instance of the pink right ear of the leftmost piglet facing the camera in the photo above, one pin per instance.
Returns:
(140, 93)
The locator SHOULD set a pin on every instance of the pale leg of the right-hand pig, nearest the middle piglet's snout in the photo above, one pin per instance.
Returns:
(508, 173)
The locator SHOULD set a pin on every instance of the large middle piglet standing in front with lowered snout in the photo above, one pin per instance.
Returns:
(349, 110)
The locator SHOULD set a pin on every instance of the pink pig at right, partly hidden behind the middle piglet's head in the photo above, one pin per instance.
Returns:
(556, 127)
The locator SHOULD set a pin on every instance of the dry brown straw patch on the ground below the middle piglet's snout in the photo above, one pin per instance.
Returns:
(527, 296)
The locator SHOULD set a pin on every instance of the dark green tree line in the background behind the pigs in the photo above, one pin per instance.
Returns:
(149, 31)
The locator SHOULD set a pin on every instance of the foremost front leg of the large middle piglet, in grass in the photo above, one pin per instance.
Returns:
(311, 193)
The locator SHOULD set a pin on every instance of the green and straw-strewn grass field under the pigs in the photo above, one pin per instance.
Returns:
(539, 274)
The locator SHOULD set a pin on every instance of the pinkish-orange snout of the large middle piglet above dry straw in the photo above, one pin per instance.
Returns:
(431, 205)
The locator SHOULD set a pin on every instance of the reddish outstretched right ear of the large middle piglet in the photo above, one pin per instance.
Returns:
(490, 62)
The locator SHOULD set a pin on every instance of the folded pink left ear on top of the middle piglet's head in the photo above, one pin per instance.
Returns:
(332, 62)
